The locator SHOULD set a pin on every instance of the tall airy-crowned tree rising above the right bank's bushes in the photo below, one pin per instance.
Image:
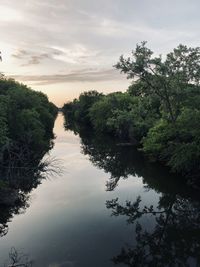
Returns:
(168, 79)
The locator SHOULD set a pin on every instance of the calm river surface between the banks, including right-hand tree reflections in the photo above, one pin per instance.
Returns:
(66, 221)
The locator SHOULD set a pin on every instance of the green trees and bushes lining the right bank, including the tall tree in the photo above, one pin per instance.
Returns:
(160, 111)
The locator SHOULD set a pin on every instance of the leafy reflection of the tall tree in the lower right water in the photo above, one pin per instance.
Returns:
(174, 239)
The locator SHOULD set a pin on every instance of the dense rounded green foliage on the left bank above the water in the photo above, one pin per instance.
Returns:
(26, 120)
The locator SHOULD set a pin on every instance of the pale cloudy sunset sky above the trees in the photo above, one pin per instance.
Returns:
(65, 47)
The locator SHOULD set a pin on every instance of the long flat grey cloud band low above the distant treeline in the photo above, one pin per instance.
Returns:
(84, 75)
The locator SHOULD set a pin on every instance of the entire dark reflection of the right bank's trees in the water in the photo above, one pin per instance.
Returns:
(174, 237)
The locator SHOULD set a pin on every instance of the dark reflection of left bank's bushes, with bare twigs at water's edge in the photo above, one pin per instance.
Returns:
(17, 182)
